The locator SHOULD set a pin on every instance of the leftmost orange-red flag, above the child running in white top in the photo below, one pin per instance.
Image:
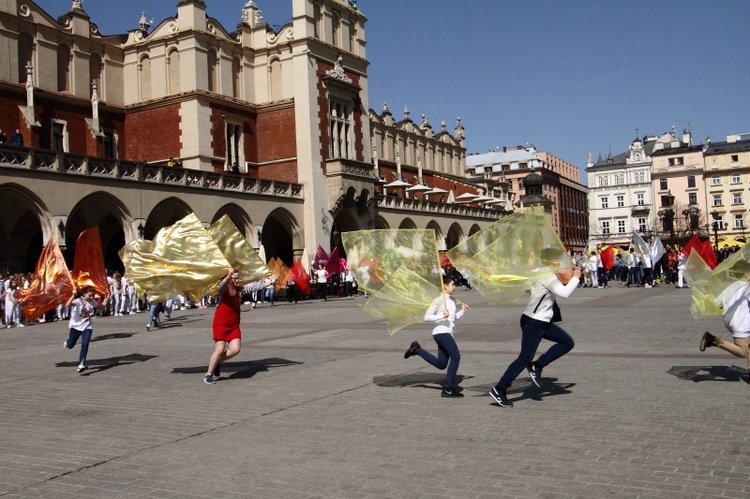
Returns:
(52, 284)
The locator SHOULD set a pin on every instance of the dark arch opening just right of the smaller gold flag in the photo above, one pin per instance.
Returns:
(281, 237)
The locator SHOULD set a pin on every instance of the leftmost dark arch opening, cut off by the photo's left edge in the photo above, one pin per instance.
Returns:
(25, 225)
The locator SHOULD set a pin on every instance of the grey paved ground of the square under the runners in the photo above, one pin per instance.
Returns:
(321, 403)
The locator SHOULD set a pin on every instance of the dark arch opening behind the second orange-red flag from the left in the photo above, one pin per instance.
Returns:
(100, 209)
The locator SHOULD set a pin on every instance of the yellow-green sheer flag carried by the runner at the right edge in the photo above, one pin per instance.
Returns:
(706, 284)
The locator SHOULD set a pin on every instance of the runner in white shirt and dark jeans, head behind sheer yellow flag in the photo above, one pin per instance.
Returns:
(537, 322)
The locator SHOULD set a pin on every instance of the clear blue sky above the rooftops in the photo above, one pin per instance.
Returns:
(568, 77)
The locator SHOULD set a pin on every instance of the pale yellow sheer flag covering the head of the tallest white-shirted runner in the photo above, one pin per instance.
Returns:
(504, 259)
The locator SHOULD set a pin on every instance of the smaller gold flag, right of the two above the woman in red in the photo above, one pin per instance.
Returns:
(238, 251)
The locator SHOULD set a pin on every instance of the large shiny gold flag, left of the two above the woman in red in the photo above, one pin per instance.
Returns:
(183, 259)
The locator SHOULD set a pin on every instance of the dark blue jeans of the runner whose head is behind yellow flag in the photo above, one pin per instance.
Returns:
(532, 333)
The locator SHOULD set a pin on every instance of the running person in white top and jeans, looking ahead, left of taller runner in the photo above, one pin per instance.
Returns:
(443, 311)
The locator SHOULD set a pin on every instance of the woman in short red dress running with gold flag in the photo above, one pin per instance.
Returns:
(226, 326)
